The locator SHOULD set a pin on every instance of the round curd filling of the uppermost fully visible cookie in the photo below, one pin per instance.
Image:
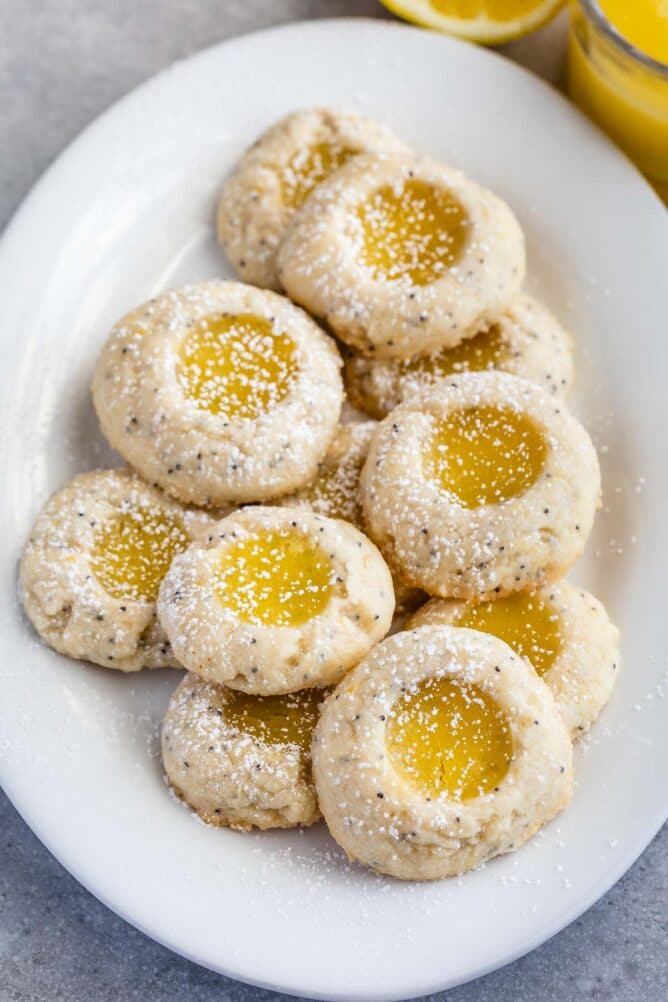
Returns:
(413, 232)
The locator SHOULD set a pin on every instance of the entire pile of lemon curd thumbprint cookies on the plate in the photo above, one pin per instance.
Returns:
(353, 493)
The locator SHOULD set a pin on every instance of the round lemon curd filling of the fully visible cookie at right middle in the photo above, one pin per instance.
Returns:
(485, 455)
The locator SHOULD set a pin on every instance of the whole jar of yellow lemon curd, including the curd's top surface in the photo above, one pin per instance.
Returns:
(618, 75)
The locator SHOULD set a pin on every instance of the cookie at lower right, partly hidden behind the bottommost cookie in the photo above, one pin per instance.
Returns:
(563, 632)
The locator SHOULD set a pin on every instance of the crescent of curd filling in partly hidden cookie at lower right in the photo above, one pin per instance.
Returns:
(524, 622)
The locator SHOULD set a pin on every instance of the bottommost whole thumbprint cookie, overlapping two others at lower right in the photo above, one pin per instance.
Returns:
(440, 751)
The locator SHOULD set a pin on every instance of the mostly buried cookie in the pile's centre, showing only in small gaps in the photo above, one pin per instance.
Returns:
(335, 492)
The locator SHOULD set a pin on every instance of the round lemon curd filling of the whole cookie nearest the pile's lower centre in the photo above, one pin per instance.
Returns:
(276, 578)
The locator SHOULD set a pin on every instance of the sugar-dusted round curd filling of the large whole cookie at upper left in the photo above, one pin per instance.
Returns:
(237, 366)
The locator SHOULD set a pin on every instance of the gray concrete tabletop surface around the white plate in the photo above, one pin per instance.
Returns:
(62, 64)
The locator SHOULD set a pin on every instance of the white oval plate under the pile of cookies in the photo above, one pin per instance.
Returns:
(128, 211)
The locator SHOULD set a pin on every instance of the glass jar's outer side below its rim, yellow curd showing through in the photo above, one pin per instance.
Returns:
(621, 89)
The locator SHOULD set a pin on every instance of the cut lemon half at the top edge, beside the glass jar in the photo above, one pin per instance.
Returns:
(488, 22)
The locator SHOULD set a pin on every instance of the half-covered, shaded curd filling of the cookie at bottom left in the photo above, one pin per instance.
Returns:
(276, 720)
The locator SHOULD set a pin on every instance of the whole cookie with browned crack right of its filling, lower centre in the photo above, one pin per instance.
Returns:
(277, 600)
